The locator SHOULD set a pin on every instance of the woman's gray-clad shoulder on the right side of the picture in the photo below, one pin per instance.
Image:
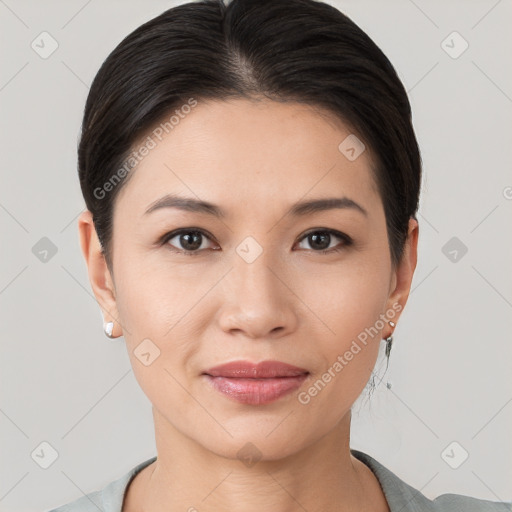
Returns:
(403, 497)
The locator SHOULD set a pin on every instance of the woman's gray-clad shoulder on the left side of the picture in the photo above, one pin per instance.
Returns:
(108, 499)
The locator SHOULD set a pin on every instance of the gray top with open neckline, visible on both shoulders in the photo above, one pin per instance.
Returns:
(400, 496)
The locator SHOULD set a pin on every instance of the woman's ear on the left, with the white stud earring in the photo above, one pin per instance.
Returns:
(100, 278)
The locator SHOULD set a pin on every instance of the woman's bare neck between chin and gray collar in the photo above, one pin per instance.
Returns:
(323, 476)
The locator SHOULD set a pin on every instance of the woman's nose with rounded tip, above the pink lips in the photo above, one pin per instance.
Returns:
(258, 300)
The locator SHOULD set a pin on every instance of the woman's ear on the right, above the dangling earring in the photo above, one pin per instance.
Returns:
(403, 274)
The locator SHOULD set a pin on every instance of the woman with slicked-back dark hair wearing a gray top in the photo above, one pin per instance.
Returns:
(252, 178)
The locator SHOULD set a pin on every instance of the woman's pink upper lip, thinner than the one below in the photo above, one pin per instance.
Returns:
(248, 370)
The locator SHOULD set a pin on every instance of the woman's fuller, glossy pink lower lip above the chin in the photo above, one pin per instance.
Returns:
(256, 391)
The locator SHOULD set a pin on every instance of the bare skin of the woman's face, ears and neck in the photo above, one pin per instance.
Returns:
(293, 304)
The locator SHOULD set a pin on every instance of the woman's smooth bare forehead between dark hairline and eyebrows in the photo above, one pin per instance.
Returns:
(253, 154)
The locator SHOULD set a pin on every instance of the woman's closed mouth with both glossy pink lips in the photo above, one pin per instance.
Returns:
(255, 384)
